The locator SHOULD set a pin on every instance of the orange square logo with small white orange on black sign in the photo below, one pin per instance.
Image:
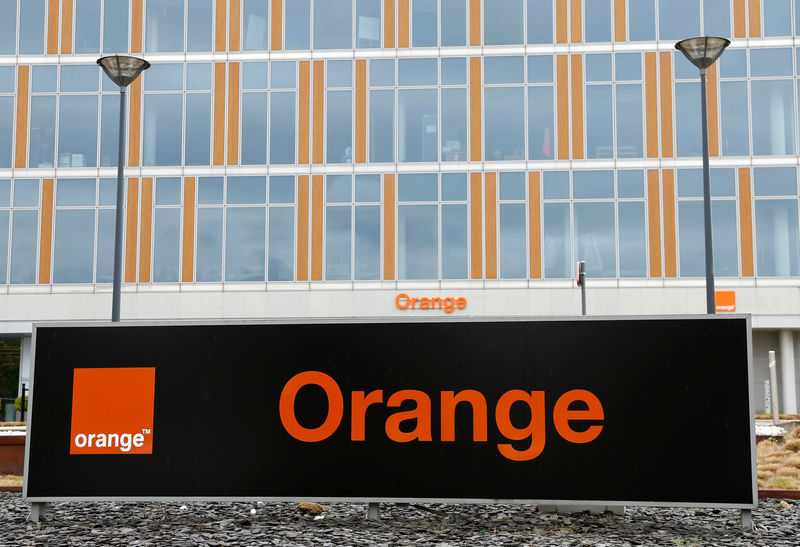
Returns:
(112, 410)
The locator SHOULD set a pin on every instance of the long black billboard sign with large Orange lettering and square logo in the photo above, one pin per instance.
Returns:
(603, 410)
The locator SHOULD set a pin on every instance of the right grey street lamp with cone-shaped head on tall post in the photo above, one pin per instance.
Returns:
(702, 52)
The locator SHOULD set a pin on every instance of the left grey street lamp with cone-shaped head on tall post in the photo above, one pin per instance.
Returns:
(122, 70)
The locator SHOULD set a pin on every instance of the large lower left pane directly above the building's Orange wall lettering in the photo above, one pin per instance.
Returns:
(417, 242)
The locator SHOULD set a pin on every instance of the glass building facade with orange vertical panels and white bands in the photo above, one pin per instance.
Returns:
(412, 145)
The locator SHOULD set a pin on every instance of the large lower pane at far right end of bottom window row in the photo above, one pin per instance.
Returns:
(777, 241)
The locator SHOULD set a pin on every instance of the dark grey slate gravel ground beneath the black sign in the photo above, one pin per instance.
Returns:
(171, 524)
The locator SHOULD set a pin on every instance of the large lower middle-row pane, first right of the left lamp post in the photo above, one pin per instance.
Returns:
(163, 129)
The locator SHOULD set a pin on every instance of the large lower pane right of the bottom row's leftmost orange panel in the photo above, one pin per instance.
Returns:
(73, 258)
